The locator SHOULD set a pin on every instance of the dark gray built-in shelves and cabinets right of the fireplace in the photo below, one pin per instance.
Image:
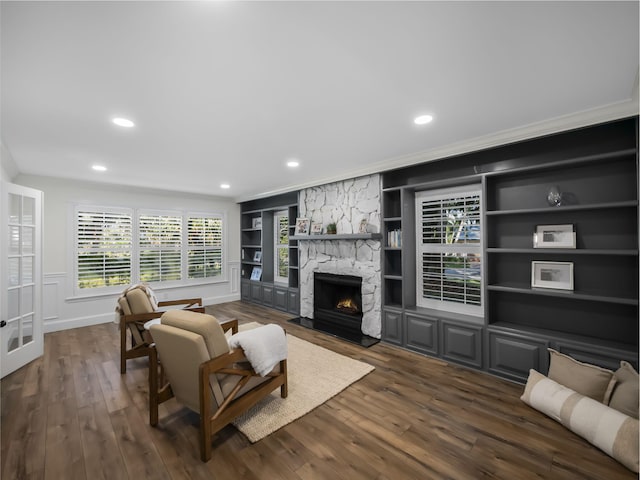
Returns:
(596, 171)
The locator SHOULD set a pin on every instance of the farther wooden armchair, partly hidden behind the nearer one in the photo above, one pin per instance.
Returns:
(135, 309)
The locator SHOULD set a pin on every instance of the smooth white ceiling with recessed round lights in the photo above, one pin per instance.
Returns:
(229, 91)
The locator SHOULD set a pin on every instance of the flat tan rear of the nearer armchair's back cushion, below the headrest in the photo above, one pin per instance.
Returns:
(181, 353)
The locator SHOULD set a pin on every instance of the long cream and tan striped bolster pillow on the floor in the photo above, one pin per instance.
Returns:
(613, 432)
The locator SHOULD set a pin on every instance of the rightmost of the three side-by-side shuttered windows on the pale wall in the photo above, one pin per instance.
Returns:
(205, 246)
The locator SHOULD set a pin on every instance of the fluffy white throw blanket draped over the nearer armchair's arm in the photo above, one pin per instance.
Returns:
(264, 347)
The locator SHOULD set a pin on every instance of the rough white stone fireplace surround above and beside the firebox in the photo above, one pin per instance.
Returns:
(345, 203)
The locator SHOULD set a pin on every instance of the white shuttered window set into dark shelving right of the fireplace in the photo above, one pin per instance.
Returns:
(449, 249)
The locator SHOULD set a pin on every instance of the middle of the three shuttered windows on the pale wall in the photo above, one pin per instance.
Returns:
(160, 247)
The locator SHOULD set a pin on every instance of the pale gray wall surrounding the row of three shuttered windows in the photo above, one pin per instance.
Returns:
(62, 309)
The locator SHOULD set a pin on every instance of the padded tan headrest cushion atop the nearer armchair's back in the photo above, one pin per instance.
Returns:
(202, 324)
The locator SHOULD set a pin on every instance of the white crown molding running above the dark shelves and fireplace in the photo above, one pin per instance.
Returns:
(606, 113)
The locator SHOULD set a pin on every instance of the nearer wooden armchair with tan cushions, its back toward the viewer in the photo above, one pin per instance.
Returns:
(204, 374)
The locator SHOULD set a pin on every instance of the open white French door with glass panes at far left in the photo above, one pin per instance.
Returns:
(21, 332)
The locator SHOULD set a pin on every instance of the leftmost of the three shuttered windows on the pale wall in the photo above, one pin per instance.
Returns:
(103, 248)
